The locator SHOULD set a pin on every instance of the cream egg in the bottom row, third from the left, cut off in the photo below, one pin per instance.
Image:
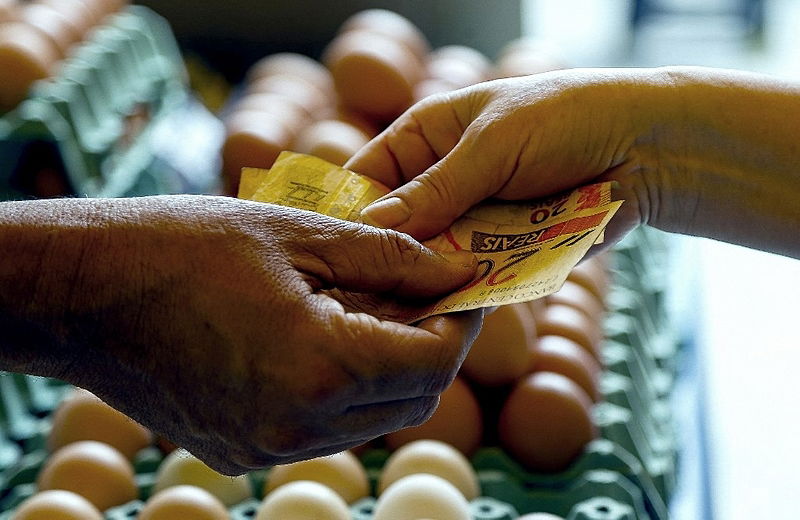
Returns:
(303, 500)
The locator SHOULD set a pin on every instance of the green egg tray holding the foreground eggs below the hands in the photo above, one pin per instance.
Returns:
(628, 472)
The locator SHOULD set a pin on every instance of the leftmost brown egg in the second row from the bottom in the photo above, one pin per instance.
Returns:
(92, 469)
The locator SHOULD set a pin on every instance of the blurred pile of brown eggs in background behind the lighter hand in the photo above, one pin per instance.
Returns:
(379, 64)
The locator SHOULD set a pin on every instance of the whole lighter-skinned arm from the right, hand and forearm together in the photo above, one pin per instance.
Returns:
(694, 150)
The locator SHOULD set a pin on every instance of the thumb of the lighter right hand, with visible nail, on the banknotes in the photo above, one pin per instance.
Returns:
(430, 202)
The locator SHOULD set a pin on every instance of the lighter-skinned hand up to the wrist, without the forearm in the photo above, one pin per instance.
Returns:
(513, 139)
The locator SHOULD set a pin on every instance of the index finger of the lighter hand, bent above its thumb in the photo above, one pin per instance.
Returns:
(415, 141)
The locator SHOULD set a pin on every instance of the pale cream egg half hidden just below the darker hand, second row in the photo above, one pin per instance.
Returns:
(181, 467)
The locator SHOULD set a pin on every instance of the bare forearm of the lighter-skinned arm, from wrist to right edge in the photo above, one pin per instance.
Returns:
(727, 158)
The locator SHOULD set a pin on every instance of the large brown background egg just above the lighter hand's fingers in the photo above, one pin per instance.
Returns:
(374, 75)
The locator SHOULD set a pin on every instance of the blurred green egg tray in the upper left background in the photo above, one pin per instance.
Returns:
(116, 120)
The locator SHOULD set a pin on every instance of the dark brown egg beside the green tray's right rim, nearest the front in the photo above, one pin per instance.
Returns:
(546, 422)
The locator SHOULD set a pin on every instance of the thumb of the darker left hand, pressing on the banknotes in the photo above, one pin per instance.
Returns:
(375, 260)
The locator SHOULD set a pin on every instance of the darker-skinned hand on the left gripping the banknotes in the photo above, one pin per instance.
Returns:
(214, 321)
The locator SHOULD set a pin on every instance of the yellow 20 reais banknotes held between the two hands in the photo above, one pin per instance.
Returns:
(525, 249)
